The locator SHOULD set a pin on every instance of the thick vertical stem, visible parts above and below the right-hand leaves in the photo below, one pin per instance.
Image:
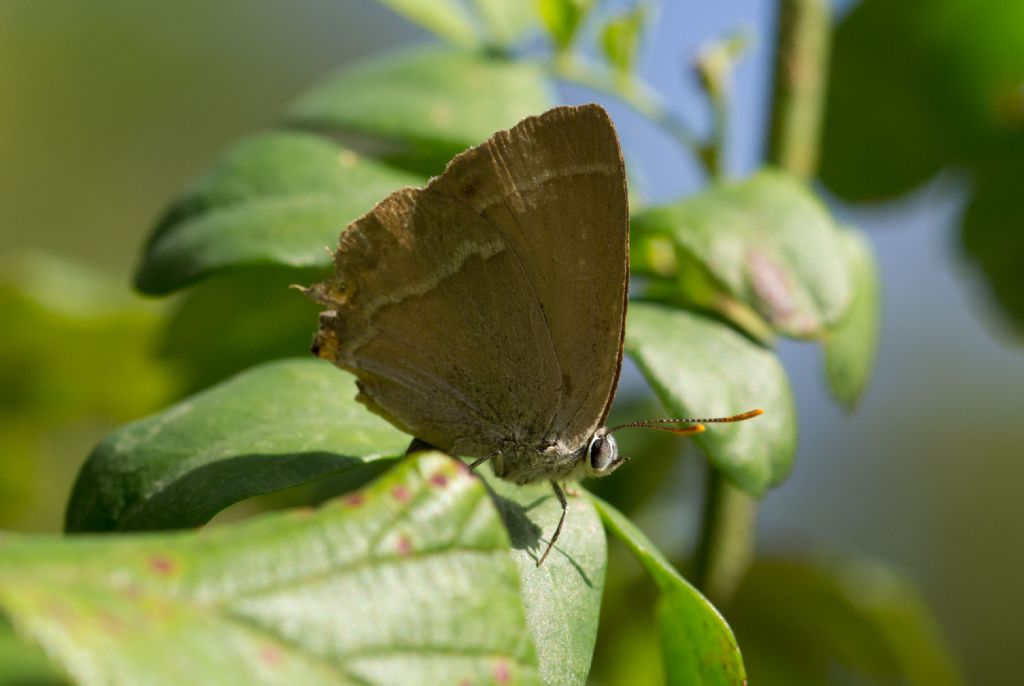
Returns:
(727, 545)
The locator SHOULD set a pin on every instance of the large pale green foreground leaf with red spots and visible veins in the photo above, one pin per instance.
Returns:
(409, 582)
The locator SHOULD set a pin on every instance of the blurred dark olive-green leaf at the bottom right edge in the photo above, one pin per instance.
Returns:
(816, 615)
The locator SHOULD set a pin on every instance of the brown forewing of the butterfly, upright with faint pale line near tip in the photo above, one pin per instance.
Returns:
(556, 188)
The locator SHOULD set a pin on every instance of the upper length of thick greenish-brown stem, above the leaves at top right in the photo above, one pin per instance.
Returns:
(801, 60)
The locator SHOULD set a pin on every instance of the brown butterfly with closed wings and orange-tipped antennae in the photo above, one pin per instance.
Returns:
(485, 314)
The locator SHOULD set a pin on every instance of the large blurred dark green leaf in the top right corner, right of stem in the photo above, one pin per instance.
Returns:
(945, 79)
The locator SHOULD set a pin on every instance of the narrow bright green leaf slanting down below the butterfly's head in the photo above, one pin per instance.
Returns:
(698, 646)
